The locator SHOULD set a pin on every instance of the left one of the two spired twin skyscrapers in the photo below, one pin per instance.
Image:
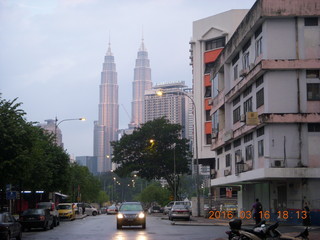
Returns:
(105, 129)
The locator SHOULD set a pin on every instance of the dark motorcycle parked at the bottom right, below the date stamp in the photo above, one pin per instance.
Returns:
(260, 232)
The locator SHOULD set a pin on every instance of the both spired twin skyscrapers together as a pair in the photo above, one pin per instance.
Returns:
(107, 126)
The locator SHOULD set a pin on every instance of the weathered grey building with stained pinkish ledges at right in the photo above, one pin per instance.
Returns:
(266, 109)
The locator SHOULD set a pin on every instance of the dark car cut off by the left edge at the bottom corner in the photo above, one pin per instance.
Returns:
(9, 227)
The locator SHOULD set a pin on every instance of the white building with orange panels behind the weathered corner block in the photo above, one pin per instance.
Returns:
(208, 39)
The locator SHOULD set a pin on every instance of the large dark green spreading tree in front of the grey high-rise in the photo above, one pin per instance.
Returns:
(156, 160)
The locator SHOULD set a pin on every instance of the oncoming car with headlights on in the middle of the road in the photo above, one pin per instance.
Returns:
(131, 214)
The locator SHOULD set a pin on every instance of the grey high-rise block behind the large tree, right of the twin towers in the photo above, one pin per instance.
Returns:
(173, 104)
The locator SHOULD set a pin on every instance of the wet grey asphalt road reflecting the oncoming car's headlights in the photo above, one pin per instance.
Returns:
(103, 227)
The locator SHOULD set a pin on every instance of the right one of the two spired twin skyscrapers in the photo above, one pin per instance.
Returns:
(142, 81)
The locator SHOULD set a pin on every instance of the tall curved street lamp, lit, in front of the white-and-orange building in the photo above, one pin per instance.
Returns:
(160, 93)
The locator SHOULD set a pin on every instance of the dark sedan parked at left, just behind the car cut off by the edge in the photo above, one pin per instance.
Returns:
(36, 218)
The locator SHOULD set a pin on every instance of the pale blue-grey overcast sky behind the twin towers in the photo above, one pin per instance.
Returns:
(52, 53)
